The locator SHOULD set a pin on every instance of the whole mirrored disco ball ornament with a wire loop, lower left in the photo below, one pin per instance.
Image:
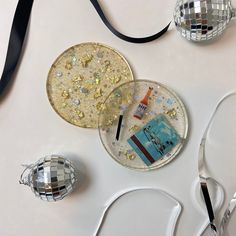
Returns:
(51, 178)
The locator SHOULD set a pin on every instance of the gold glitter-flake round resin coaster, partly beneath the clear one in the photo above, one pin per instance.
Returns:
(80, 79)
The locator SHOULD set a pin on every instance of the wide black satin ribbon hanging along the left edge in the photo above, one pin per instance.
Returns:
(17, 36)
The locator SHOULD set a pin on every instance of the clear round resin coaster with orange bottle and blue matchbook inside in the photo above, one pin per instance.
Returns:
(143, 125)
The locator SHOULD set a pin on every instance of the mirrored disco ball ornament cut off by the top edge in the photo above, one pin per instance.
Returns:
(202, 20)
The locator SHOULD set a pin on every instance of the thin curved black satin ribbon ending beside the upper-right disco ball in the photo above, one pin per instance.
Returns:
(122, 36)
